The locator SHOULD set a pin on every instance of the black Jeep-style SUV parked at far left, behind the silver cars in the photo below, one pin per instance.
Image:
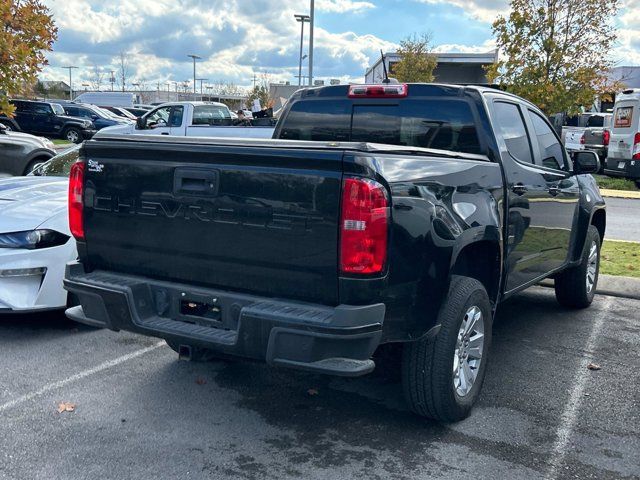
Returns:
(49, 119)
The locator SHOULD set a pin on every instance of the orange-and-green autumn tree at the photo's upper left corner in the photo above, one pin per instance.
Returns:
(27, 32)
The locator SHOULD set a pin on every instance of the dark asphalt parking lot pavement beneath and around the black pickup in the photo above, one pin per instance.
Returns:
(141, 413)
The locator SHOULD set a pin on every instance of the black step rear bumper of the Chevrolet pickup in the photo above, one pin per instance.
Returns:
(334, 340)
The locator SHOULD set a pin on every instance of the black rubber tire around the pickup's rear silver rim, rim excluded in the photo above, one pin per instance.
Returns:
(427, 365)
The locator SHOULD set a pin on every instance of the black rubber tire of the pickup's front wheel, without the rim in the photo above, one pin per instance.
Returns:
(571, 285)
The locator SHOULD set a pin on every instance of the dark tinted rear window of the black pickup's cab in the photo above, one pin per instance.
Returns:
(430, 123)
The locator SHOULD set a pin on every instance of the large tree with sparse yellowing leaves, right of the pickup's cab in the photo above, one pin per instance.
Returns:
(556, 53)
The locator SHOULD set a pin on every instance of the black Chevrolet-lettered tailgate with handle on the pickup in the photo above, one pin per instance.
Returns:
(245, 218)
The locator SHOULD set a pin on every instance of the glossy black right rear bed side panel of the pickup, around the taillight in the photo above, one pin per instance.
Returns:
(439, 206)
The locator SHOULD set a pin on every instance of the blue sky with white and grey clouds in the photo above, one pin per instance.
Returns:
(238, 39)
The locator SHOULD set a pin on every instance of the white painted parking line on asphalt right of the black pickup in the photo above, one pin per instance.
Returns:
(570, 414)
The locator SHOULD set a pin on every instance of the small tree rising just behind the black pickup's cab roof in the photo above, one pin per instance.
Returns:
(417, 62)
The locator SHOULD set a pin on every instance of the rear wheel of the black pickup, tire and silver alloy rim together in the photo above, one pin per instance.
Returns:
(442, 376)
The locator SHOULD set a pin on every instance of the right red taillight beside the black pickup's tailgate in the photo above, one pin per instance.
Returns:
(364, 222)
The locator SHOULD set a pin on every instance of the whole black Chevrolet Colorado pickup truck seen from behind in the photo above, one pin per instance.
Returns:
(378, 214)
